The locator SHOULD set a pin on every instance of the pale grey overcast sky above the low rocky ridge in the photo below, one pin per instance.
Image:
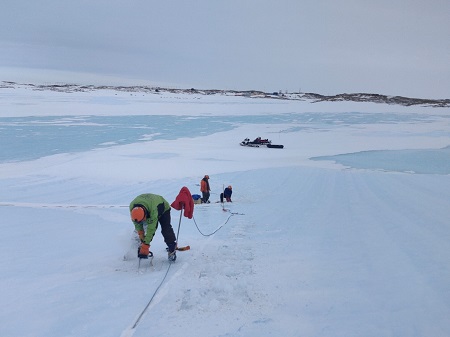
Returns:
(399, 47)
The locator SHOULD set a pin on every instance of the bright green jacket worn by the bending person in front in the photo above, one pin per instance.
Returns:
(155, 206)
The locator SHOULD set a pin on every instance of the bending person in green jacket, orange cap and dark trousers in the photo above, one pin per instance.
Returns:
(147, 210)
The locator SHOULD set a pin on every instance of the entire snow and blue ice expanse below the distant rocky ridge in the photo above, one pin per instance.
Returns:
(308, 247)
